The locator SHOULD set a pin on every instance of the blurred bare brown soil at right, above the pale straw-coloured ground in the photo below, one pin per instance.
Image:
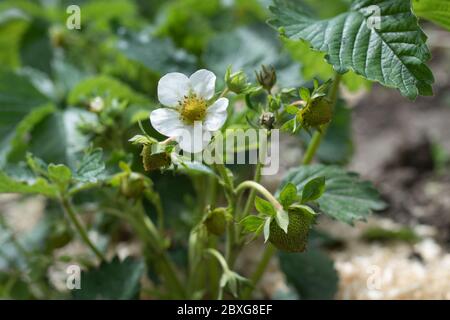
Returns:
(395, 142)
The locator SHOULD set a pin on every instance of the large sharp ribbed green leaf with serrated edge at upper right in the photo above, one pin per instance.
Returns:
(393, 53)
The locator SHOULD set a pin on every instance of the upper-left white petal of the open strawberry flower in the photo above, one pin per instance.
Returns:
(172, 88)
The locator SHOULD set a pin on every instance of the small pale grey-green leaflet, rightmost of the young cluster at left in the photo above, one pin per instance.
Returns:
(91, 166)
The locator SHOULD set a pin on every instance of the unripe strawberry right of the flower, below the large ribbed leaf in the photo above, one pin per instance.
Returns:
(316, 113)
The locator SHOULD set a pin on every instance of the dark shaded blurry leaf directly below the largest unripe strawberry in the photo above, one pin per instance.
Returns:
(311, 273)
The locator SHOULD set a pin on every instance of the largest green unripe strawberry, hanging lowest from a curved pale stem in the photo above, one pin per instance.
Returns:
(296, 238)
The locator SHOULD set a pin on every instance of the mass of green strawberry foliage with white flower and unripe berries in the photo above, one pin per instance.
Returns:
(136, 132)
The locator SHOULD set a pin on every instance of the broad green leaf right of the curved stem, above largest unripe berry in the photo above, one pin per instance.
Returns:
(346, 197)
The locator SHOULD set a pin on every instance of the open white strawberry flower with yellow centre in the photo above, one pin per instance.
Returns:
(190, 115)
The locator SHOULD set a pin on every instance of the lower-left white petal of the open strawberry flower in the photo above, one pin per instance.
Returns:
(166, 121)
